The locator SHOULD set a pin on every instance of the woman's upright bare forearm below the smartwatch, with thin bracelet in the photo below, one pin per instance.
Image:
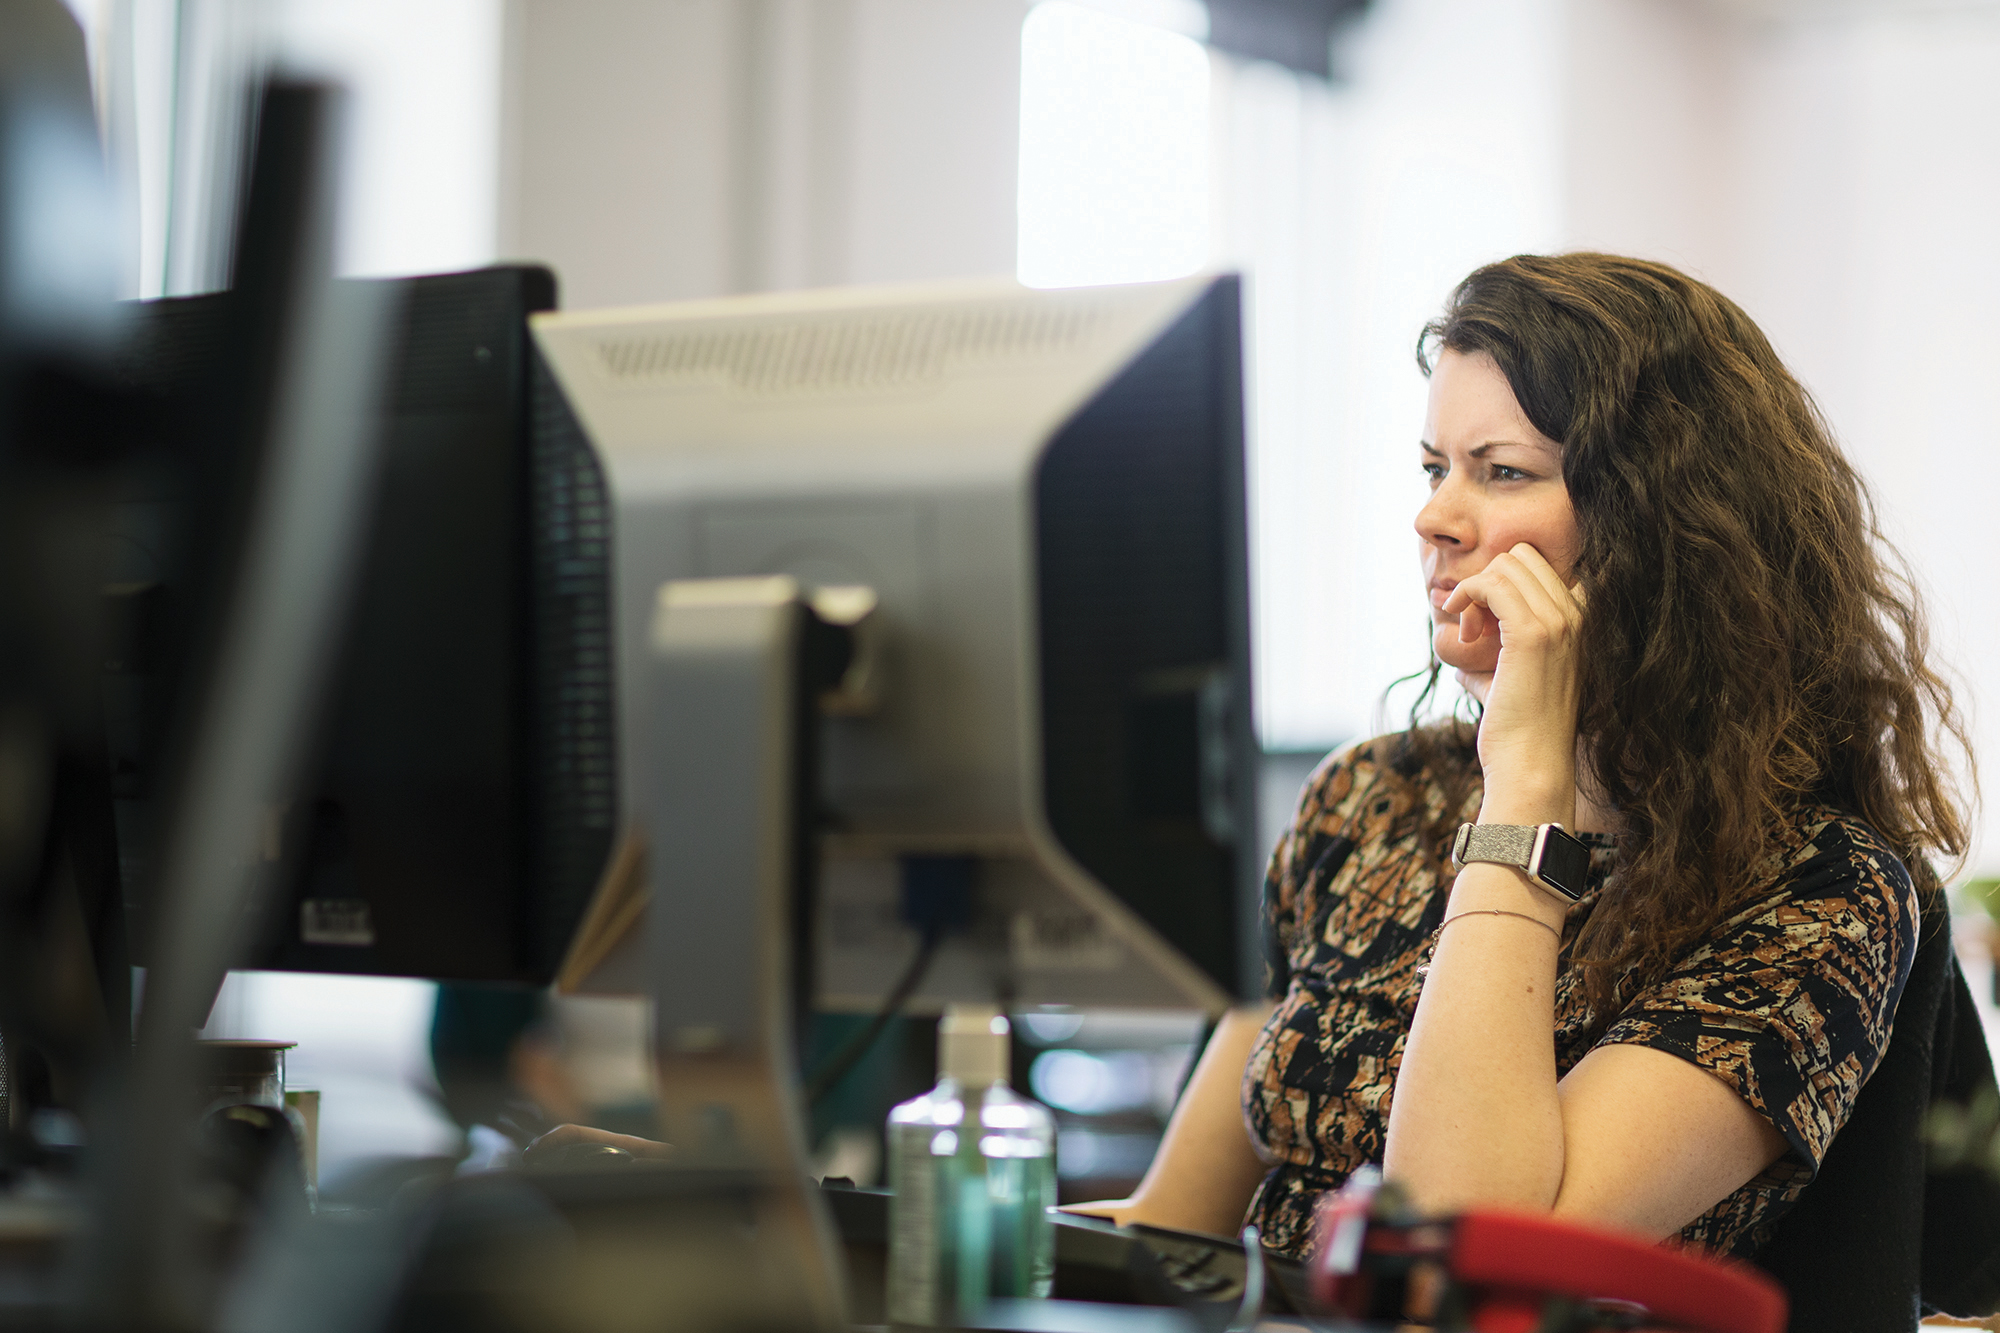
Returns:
(1475, 1118)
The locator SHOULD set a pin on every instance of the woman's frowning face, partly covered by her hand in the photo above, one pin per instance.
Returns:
(1495, 481)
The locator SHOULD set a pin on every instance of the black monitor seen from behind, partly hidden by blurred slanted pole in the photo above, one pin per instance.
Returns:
(463, 796)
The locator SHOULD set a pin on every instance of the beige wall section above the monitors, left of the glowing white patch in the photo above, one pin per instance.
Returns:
(673, 149)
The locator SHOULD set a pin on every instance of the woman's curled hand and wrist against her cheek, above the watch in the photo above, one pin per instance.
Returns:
(1529, 734)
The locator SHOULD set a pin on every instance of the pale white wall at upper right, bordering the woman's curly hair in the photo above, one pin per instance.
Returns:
(1835, 175)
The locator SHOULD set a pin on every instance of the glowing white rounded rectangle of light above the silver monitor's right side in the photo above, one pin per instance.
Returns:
(1113, 149)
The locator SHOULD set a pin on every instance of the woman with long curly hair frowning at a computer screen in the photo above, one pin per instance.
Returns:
(1663, 583)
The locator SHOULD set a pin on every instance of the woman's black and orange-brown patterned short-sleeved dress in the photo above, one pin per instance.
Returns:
(1789, 1000)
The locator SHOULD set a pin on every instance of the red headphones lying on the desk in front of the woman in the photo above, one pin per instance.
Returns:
(1507, 1270)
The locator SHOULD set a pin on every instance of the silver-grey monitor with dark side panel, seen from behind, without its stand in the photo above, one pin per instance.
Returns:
(1047, 493)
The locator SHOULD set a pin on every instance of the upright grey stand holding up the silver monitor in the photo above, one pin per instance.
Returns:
(729, 696)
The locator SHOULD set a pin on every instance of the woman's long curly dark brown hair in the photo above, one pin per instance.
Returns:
(1751, 641)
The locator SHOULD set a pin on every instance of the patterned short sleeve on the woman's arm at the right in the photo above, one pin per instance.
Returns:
(1791, 1000)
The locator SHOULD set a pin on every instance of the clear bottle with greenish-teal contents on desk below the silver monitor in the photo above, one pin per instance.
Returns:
(971, 1212)
